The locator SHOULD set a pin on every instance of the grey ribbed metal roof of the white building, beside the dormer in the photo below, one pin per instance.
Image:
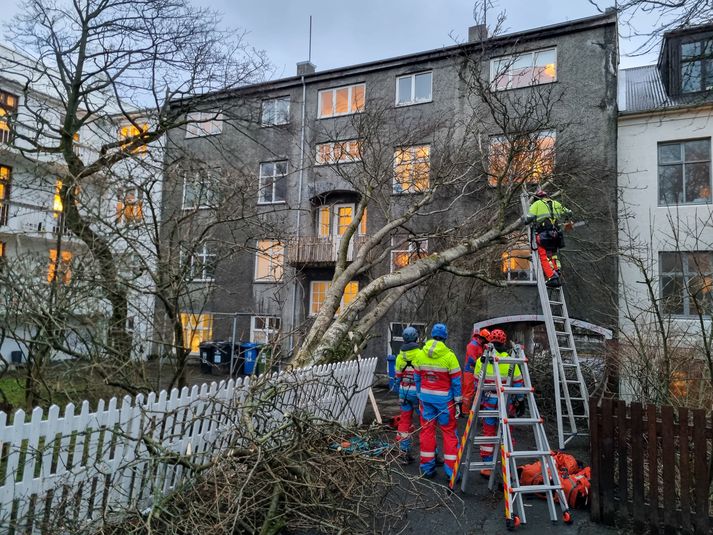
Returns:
(641, 89)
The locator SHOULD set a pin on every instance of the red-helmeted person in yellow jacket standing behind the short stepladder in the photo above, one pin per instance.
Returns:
(498, 339)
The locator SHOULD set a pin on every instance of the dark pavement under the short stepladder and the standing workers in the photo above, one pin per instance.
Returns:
(480, 510)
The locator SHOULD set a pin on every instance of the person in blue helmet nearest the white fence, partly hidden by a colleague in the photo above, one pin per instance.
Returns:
(406, 362)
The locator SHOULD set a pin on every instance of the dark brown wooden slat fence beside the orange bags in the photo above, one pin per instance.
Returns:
(651, 466)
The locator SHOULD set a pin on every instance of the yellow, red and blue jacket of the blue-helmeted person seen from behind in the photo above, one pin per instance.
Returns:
(438, 375)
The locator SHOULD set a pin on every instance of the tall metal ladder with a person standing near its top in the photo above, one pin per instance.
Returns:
(571, 394)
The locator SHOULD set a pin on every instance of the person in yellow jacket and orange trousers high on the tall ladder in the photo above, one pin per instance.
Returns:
(546, 216)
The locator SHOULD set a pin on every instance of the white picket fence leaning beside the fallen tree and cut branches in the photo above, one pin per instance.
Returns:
(77, 467)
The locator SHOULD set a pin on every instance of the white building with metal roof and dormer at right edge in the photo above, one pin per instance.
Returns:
(666, 234)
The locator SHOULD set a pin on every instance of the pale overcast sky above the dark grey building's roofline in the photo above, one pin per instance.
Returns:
(349, 32)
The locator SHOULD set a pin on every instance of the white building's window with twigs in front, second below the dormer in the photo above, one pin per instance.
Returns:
(686, 282)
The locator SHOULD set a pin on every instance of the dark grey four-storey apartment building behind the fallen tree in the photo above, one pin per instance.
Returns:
(297, 147)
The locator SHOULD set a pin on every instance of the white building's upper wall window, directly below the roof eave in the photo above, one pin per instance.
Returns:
(685, 172)
